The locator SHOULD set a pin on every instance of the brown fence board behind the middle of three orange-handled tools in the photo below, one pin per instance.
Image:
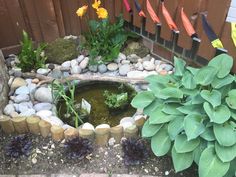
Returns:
(171, 6)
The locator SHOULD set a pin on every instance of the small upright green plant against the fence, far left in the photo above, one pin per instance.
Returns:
(29, 57)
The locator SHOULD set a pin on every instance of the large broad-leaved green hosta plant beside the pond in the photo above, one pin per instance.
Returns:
(192, 116)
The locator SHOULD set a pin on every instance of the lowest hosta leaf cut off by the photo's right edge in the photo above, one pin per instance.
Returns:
(226, 154)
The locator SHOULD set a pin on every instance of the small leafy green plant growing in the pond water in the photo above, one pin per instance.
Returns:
(116, 101)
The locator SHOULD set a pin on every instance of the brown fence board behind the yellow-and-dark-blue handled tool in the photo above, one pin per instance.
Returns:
(216, 20)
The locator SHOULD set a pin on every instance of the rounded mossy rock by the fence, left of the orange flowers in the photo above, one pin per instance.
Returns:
(61, 50)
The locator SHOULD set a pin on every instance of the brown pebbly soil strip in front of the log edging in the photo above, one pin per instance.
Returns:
(51, 159)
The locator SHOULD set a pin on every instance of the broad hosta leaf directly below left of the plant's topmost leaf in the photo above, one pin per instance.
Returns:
(205, 75)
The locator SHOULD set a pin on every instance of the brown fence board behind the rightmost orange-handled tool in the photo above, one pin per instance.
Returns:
(191, 8)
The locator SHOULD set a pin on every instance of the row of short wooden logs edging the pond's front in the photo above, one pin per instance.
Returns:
(35, 125)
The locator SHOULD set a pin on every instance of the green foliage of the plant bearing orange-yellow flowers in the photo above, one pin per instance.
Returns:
(105, 39)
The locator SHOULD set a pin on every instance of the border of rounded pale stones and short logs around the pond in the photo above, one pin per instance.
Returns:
(44, 121)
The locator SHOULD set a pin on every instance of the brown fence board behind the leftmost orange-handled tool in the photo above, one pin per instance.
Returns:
(150, 25)
